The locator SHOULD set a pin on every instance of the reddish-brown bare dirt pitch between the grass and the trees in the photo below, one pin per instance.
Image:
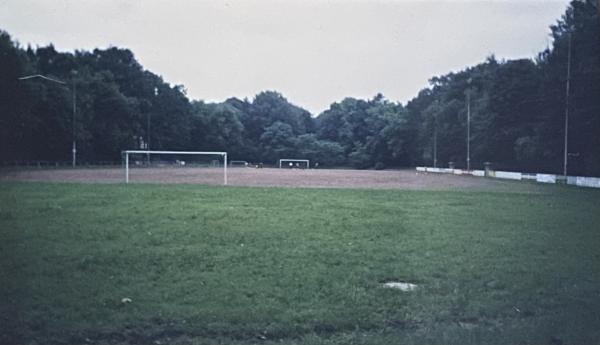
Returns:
(268, 177)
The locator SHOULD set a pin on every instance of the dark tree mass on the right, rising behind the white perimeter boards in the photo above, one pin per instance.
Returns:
(518, 107)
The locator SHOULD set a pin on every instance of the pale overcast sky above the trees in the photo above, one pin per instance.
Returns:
(313, 52)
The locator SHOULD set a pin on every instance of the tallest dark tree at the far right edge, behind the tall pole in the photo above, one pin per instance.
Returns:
(579, 26)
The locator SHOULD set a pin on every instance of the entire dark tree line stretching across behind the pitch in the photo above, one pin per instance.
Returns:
(517, 112)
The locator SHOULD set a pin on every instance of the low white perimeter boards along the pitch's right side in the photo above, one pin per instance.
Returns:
(581, 181)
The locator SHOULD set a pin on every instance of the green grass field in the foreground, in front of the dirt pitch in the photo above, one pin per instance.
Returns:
(208, 265)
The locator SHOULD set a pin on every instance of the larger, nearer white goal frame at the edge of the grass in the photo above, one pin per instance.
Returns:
(175, 161)
